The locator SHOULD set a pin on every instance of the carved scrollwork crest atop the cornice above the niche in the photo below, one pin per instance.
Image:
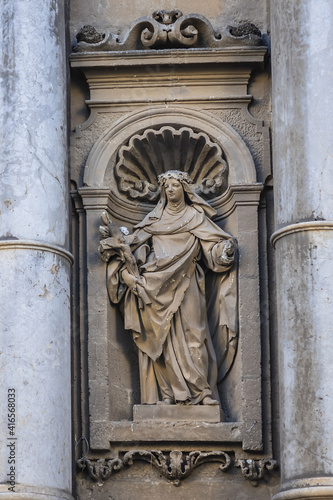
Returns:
(165, 30)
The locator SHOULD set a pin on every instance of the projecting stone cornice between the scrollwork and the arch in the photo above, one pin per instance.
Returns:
(160, 76)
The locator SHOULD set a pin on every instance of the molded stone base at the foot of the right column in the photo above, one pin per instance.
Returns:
(305, 489)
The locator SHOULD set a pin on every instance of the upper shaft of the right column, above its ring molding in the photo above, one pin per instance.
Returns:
(302, 105)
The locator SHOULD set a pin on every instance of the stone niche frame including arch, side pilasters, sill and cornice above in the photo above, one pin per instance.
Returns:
(155, 88)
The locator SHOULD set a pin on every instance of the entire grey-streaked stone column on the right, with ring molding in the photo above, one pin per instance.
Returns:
(302, 61)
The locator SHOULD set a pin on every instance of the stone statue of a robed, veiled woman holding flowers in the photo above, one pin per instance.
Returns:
(163, 294)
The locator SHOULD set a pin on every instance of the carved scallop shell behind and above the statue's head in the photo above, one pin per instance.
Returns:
(148, 155)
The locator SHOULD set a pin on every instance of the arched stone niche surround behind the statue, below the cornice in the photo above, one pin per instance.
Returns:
(112, 385)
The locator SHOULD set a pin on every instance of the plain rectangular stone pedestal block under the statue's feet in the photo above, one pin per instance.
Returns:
(178, 413)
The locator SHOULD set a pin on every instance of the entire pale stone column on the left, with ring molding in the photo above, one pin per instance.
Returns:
(35, 428)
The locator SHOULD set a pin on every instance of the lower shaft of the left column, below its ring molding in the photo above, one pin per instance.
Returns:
(35, 362)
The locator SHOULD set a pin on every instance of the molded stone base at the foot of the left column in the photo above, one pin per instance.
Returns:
(28, 492)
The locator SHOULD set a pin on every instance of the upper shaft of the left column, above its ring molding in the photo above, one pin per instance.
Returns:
(34, 142)
